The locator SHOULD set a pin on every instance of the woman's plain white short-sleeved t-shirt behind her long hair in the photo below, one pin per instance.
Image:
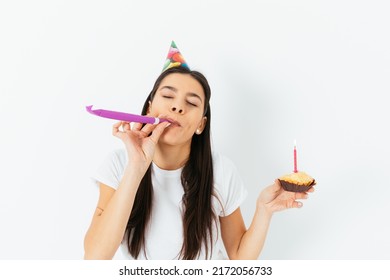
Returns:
(164, 236)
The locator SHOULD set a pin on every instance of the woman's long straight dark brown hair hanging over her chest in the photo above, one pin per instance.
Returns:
(197, 179)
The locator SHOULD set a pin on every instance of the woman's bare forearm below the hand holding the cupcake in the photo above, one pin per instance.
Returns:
(252, 241)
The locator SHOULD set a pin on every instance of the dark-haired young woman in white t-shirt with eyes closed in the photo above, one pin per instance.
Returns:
(167, 195)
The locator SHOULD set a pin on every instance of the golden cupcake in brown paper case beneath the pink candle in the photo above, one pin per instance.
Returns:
(297, 182)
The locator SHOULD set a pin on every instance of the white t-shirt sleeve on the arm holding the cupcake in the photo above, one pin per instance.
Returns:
(229, 185)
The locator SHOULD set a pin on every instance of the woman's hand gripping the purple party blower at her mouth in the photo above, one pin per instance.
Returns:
(139, 145)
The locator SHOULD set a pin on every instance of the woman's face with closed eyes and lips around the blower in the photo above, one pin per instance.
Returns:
(179, 98)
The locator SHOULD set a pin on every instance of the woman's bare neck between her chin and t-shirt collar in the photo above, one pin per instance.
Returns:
(169, 157)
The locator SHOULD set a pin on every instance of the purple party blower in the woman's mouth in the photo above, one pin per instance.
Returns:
(120, 116)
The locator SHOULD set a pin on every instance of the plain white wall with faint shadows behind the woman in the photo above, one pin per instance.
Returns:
(315, 71)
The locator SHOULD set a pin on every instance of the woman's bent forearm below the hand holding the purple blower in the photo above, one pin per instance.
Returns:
(104, 238)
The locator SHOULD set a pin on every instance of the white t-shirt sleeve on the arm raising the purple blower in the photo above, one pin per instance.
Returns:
(110, 171)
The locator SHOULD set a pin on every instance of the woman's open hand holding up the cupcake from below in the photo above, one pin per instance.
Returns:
(274, 198)
